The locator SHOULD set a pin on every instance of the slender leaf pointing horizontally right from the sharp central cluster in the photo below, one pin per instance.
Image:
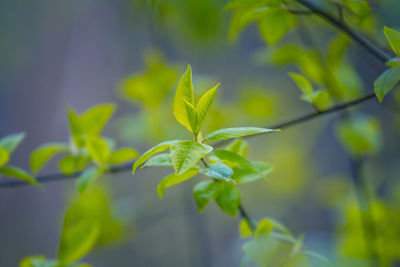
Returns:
(229, 133)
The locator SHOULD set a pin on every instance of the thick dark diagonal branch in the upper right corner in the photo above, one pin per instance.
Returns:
(340, 25)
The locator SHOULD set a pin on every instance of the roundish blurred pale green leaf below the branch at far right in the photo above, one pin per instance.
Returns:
(360, 135)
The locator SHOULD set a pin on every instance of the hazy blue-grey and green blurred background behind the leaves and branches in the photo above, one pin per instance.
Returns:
(55, 54)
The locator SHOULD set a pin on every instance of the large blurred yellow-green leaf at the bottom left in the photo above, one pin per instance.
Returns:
(78, 240)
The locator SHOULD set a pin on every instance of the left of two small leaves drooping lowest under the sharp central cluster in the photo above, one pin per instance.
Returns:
(205, 191)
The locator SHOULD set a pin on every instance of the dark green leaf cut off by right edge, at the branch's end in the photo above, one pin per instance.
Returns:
(385, 83)
